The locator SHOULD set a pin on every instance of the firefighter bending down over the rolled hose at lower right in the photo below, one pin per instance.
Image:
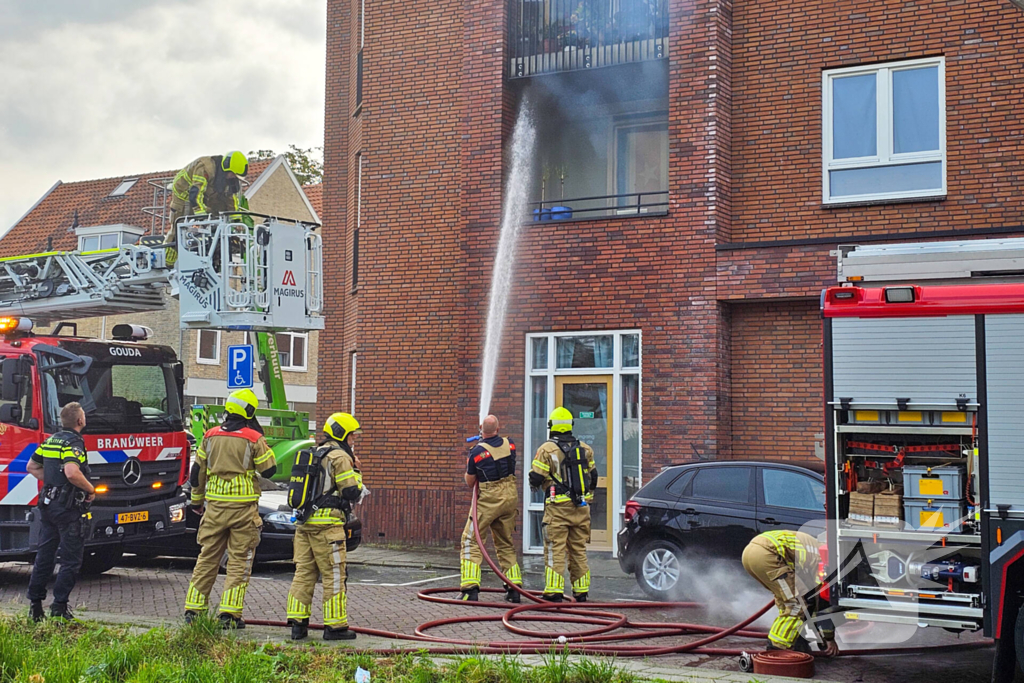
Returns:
(787, 564)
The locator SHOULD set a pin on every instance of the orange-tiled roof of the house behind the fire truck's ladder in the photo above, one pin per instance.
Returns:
(51, 224)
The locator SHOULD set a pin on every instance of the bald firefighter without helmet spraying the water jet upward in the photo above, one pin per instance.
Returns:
(492, 467)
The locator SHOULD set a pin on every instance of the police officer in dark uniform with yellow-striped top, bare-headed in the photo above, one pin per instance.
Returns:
(63, 465)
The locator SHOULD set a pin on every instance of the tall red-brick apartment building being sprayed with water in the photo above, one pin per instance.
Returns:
(731, 148)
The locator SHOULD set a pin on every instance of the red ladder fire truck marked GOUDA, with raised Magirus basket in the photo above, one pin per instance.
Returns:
(258, 274)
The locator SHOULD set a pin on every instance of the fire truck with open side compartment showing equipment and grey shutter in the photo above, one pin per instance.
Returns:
(924, 399)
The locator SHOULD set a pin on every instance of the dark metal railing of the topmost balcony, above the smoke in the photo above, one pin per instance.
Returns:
(550, 36)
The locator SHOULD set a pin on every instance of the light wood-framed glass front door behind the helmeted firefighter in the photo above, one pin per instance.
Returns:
(587, 398)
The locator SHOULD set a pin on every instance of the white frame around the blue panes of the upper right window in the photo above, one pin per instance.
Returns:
(884, 127)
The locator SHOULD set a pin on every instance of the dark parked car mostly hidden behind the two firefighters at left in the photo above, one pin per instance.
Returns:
(276, 541)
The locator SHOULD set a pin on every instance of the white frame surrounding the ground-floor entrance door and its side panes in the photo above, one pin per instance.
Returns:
(535, 546)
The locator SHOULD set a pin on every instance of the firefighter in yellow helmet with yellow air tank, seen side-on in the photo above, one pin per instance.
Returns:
(320, 541)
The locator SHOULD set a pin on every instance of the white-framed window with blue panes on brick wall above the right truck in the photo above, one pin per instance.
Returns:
(884, 133)
